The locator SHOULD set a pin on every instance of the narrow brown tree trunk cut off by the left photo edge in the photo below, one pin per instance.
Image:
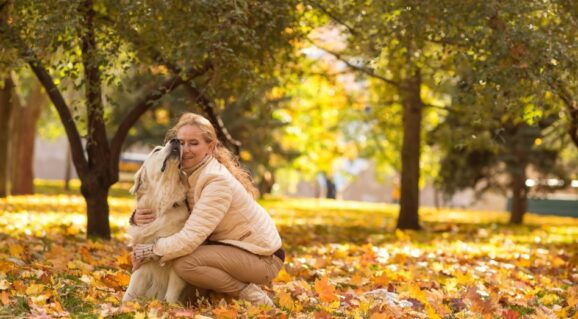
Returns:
(5, 113)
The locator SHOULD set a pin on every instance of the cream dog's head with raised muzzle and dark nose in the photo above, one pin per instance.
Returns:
(160, 174)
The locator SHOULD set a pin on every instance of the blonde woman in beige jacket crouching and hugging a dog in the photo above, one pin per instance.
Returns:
(229, 243)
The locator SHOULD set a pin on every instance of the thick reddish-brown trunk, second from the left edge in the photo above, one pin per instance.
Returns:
(24, 122)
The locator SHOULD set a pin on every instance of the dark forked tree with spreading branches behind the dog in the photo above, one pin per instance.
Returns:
(94, 42)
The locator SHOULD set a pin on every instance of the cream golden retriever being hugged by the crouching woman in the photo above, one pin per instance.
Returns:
(161, 186)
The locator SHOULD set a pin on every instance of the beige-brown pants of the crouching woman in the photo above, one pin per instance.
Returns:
(226, 269)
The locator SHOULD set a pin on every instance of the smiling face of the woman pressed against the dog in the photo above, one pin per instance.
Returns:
(193, 146)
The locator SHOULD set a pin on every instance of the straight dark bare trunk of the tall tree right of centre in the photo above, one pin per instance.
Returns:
(410, 153)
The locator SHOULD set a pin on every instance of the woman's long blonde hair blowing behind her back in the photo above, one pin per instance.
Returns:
(220, 152)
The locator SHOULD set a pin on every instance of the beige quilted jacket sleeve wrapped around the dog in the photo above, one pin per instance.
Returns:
(212, 205)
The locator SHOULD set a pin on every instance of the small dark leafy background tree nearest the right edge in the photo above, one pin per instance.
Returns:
(508, 150)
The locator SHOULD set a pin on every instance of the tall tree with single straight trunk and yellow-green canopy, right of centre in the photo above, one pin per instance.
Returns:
(420, 49)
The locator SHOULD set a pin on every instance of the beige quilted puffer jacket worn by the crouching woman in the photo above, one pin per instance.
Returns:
(223, 209)
